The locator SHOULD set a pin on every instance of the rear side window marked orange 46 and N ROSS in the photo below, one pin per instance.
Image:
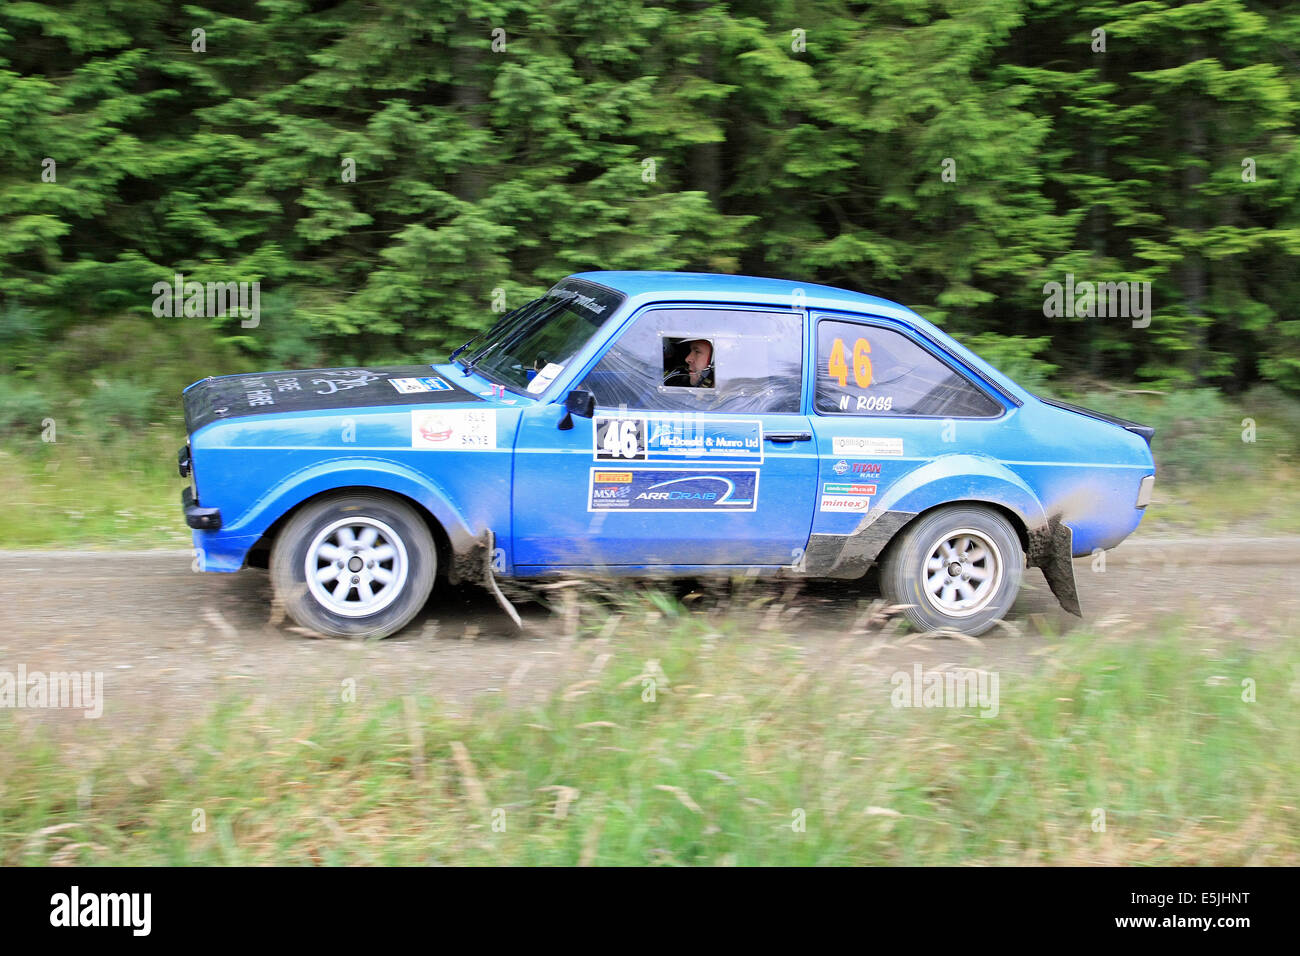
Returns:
(866, 370)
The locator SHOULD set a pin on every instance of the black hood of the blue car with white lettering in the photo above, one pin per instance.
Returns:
(271, 393)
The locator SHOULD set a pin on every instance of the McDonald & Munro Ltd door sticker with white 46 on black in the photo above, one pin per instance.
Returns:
(677, 439)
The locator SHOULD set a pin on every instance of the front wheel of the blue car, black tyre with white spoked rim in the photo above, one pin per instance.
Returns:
(320, 526)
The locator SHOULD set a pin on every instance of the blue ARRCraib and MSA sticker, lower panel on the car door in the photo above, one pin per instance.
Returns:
(669, 490)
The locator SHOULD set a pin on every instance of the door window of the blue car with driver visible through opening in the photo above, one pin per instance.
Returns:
(704, 360)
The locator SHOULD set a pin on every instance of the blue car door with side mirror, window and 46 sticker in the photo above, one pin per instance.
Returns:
(674, 471)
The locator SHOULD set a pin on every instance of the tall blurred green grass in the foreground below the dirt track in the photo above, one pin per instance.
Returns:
(740, 741)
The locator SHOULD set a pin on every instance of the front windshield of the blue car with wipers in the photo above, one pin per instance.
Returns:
(531, 347)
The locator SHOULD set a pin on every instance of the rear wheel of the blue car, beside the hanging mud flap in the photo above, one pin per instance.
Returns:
(959, 603)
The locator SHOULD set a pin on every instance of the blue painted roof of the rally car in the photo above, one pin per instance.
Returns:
(690, 285)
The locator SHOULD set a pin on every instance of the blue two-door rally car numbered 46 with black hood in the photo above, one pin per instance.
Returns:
(658, 423)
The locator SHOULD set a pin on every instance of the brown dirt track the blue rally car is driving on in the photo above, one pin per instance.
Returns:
(170, 642)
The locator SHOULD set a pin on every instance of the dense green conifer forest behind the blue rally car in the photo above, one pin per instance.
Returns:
(500, 146)
